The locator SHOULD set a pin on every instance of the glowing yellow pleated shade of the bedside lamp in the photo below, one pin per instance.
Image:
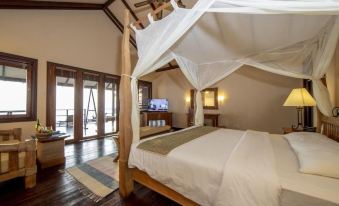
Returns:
(299, 97)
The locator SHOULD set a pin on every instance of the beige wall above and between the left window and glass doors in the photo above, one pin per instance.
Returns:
(86, 39)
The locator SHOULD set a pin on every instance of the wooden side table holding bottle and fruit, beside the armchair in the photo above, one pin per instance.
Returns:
(51, 151)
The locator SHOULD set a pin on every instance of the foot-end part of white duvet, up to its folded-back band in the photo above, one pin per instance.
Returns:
(193, 169)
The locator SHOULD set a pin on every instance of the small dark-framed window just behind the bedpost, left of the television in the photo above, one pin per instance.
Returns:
(144, 94)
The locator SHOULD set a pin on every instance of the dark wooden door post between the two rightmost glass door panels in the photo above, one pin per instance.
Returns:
(101, 106)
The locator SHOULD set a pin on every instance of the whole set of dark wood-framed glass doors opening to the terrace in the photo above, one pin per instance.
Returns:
(84, 103)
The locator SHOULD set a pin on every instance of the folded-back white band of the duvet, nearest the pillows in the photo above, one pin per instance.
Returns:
(250, 177)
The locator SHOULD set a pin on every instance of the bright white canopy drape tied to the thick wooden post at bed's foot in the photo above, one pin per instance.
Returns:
(154, 41)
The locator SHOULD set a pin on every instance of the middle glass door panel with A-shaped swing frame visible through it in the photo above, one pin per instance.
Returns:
(90, 104)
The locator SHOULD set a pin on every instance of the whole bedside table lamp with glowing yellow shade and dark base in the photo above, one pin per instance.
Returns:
(299, 97)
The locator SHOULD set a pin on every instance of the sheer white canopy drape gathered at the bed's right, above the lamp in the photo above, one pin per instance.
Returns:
(308, 60)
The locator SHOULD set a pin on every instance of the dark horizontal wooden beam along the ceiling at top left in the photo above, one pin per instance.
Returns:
(49, 5)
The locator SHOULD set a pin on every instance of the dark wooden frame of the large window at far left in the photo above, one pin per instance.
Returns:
(31, 99)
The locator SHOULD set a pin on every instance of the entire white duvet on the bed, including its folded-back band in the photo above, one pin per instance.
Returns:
(225, 167)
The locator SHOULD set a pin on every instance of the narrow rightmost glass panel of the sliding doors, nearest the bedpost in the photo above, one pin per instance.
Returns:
(111, 105)
